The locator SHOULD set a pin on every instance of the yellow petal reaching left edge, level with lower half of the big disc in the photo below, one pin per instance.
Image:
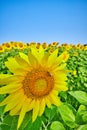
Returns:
(10, 88)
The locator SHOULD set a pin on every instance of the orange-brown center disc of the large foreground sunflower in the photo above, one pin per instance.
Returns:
(38, 83)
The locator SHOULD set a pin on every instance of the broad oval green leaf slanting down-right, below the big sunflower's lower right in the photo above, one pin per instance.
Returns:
(67, 115)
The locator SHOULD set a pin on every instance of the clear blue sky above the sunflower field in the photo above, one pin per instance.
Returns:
(43, 21)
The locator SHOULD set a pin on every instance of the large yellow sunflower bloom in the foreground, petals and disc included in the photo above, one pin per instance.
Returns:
(35, 82)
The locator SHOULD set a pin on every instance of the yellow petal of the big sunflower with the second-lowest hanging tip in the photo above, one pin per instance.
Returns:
(35, 110)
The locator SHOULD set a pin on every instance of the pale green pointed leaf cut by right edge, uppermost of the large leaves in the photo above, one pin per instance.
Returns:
(80, 96)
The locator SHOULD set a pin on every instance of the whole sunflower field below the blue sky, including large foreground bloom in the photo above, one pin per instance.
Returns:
(43, 86)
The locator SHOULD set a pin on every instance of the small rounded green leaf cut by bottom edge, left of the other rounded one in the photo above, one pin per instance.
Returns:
(56, 125)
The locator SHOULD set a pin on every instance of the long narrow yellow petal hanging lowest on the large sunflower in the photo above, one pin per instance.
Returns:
(22, 113)
